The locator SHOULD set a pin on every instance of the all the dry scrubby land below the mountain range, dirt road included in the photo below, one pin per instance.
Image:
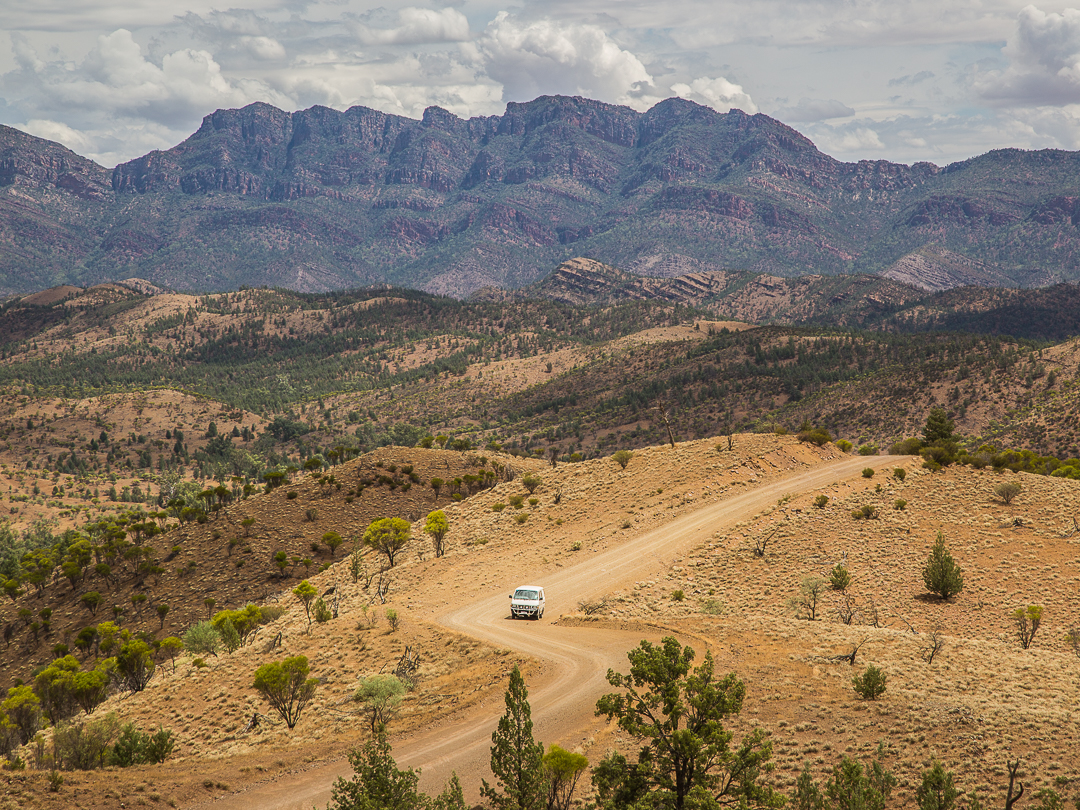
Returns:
(655, 458)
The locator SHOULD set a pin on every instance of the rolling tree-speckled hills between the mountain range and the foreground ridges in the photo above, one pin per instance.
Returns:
(285, 376)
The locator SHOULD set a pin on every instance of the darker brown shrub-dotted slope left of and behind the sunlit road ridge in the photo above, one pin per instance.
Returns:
(233, 563)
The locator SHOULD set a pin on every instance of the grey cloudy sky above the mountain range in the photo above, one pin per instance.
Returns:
(906, 80)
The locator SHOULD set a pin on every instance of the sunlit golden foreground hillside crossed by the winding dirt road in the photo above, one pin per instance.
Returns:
(973, 709)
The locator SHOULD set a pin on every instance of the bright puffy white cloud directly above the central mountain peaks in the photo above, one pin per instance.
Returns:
(547, 57)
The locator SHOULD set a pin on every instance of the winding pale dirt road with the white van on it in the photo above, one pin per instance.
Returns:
(576, 659)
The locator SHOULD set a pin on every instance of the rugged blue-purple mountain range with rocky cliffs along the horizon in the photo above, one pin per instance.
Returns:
(321, 199)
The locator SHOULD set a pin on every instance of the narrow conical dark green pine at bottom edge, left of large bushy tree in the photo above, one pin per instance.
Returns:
(517, 759)
